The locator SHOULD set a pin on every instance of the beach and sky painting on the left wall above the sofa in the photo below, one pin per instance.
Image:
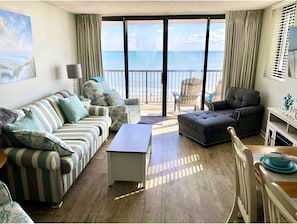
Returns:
(16, 47)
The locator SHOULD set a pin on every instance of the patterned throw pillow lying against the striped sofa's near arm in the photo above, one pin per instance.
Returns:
(43, 141)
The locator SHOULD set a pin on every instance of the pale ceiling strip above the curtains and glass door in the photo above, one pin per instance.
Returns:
(153, 7)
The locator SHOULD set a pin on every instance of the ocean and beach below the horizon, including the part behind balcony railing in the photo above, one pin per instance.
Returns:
(145, 68)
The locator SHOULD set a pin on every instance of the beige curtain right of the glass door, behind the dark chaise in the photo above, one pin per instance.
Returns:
(243, 29)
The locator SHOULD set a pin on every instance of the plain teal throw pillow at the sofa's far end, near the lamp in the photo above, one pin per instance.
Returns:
(73, 108)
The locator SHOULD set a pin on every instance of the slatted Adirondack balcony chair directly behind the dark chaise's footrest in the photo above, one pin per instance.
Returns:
(189, 93)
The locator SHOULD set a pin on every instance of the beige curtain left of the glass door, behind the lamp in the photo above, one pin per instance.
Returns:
(88, 32)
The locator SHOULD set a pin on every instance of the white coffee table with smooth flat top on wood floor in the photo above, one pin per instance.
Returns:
(128, 154)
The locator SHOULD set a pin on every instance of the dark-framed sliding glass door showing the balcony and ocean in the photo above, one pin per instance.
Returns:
(148, 57)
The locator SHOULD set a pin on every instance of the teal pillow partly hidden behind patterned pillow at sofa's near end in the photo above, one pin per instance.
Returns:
(29, 121)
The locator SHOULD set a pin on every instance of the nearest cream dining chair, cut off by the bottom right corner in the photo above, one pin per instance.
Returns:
(278, 206)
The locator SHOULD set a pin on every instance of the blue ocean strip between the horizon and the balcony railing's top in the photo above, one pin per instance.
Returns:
(152, 60)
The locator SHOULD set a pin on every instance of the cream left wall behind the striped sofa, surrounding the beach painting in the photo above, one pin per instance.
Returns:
(54, 41)
